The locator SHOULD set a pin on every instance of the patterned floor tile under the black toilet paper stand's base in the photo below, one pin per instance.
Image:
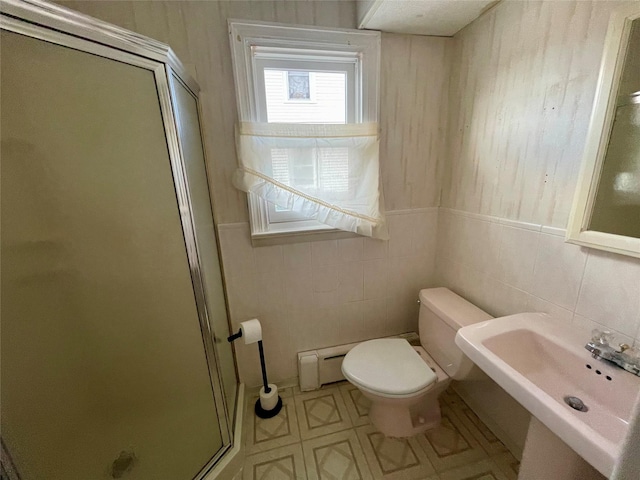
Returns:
(265, 434)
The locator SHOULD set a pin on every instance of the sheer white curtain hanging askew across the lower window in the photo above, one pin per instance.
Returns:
(326, 172)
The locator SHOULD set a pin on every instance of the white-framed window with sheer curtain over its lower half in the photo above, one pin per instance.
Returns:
(307, 101)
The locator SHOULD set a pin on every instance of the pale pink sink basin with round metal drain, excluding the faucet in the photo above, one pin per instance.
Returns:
(540, 361)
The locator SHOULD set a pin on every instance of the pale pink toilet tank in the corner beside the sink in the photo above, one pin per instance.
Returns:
(442, 313)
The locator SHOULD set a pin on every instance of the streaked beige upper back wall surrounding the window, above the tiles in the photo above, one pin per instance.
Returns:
(412, 104)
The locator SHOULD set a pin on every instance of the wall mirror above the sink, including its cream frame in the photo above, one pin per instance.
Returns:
(606, 207)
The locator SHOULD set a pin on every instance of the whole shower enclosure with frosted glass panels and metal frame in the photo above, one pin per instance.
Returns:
(115, 362)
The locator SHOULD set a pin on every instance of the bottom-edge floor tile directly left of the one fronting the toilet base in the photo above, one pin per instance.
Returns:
(336, 457)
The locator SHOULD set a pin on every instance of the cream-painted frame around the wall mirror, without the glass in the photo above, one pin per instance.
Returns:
(600, 127)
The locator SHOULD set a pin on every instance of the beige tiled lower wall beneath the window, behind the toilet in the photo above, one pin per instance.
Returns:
(320, 294)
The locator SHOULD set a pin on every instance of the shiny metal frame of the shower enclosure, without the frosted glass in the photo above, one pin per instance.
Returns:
(58, 25)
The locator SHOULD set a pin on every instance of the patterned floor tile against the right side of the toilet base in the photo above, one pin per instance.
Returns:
(450, 444)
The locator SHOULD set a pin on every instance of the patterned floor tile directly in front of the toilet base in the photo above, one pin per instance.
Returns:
(393, 458)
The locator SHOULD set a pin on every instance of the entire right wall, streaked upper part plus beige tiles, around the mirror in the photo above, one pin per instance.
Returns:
(523, 82)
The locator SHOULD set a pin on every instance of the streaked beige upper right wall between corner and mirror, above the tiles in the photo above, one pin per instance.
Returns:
(522, 87)
